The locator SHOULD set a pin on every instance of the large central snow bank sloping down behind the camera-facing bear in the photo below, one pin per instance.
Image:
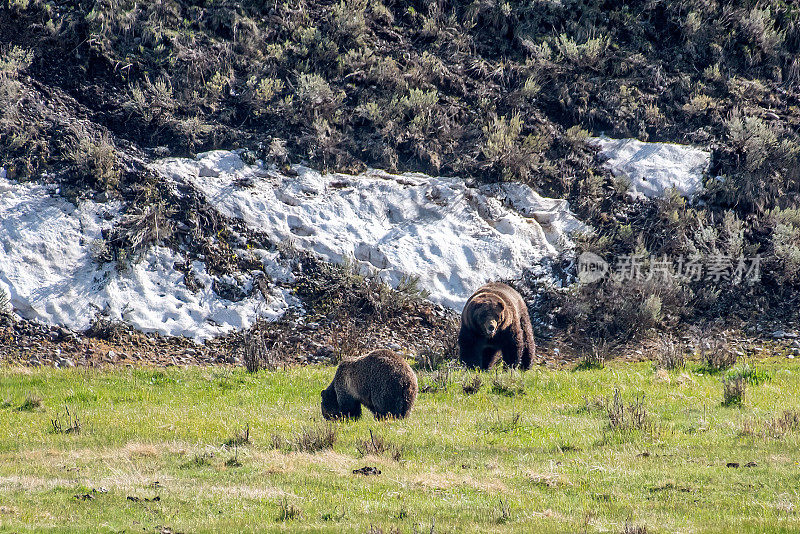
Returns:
(452, 237)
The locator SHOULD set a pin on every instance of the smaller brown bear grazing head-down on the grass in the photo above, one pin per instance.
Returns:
(381, 380)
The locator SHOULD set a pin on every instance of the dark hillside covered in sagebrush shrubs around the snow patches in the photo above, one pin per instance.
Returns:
(91, 91)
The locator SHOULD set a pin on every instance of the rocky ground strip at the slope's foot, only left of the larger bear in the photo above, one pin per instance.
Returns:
(292, 341)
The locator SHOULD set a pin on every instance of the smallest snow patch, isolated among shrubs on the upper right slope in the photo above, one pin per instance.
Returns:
(653, 168)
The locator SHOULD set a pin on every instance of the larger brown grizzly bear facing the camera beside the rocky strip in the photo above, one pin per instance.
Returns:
(495, 324)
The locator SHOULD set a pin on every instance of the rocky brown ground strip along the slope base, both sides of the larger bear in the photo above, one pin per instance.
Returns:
(428, 336)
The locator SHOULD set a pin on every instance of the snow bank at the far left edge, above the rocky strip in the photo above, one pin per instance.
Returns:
(46, 266)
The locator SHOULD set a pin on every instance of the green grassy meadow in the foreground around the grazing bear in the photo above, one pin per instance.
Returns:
(543, 461)
